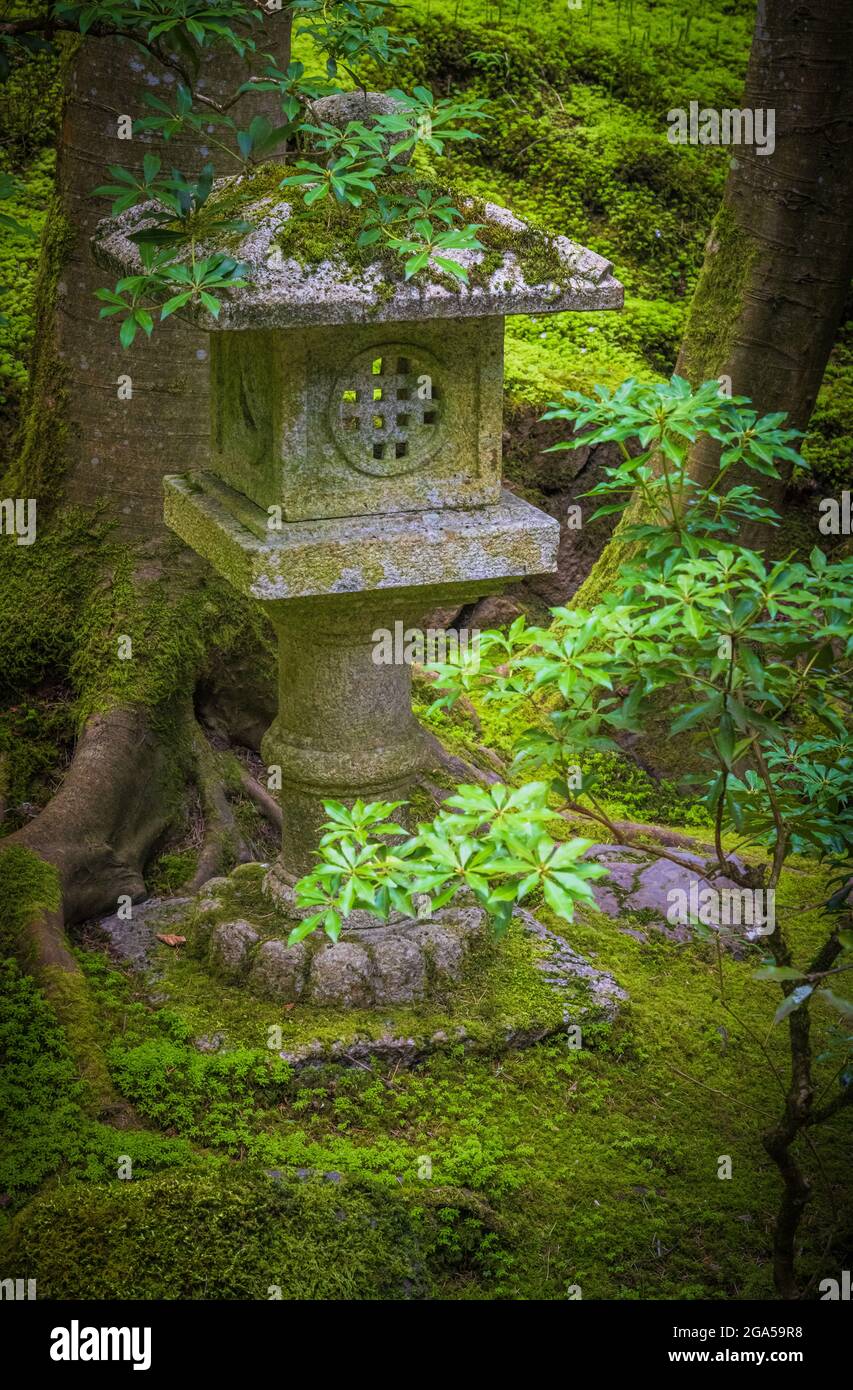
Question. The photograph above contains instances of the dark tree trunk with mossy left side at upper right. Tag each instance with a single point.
(780, 258)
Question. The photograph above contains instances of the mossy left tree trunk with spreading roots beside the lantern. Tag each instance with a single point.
(85, 450)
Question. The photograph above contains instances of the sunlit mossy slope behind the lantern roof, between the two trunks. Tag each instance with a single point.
(577, 142)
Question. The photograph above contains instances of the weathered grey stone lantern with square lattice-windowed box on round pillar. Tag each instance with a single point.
(355, 483)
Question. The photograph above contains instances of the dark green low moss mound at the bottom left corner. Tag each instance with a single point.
(262, 1239)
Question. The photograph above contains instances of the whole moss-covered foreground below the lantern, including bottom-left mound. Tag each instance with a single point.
(594, 1167)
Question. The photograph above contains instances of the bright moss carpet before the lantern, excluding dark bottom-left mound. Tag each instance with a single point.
(588, 1159)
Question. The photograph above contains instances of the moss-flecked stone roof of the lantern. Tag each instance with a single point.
(305, 265)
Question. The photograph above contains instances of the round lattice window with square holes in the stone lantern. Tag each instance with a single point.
(392, 408)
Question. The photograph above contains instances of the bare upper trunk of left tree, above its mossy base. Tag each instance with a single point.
(80, 440)
